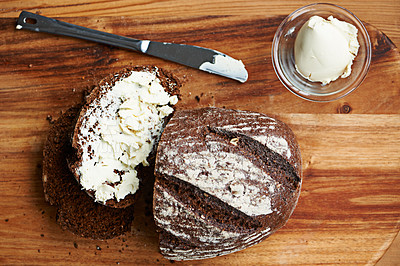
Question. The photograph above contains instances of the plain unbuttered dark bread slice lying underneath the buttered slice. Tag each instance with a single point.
(76, 211)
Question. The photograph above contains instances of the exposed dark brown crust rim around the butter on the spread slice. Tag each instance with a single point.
(169, 83)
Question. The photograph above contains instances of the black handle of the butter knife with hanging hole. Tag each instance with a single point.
(34, 22)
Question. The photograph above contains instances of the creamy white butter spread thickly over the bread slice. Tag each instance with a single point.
(119, 133)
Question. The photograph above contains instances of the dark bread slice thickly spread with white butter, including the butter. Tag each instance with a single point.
(117, 131)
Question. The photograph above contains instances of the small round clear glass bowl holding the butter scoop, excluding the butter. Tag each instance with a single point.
(284, 63)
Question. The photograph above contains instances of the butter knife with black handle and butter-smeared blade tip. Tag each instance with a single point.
(197, 57)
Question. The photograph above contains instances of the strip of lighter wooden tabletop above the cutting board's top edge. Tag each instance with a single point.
(382, 14)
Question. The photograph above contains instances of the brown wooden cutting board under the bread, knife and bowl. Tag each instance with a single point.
(349, 208)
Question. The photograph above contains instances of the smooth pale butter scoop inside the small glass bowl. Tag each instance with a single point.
(325, 49)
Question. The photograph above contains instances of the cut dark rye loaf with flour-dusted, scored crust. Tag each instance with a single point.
(225, 180)
